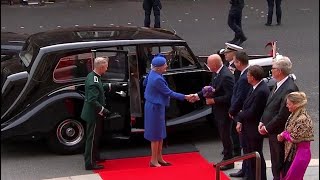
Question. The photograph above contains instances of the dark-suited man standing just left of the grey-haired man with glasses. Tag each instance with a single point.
(249, 118)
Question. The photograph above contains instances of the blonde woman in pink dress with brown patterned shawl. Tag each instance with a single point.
(297, 135)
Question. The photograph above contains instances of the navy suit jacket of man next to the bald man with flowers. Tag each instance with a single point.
(240, 92)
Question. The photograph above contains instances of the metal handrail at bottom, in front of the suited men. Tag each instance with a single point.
(239, 158)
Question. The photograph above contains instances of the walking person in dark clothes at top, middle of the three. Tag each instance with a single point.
(234, 21)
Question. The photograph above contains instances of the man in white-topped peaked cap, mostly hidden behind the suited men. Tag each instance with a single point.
(230, 53)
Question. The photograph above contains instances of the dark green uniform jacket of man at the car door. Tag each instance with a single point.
(94, 97)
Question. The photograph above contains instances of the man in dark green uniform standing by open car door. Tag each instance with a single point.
(94, 112)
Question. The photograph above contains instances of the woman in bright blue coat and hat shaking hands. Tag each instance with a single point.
(157, 95)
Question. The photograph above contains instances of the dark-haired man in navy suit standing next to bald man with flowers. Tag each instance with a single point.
(240, 92)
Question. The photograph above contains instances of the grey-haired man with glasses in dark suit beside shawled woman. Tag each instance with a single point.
(276, 113)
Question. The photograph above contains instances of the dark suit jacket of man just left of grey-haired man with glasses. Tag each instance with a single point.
(252, 110)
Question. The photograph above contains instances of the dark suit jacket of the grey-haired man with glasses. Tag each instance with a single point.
(276, 113)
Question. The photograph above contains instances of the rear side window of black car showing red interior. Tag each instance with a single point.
(73, 67)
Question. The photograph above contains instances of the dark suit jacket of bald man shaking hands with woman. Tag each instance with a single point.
(223, 83)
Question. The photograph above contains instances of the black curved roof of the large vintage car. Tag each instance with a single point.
(94, 33)
